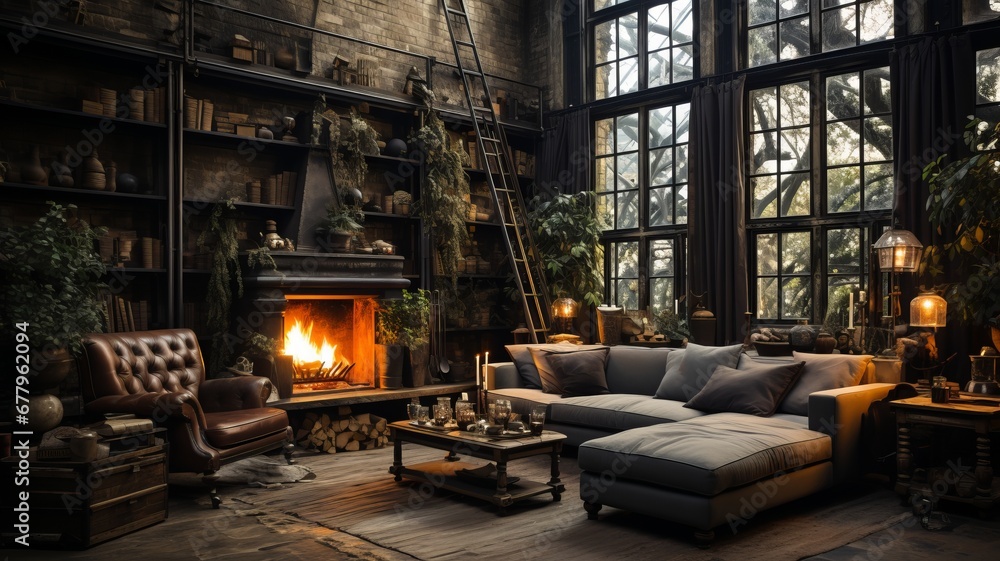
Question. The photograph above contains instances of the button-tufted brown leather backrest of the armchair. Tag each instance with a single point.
(142, 362)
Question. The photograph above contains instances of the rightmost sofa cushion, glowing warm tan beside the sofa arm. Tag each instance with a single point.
(823, 372)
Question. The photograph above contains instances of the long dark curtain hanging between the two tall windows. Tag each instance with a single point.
(717, 253)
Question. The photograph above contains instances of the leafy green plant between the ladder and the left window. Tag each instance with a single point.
(567, 235)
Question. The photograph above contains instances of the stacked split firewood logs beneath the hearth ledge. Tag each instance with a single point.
(343, 431)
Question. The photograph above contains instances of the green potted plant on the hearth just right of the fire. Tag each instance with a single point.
(403, 322)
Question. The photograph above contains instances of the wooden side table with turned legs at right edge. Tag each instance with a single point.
(982, 416)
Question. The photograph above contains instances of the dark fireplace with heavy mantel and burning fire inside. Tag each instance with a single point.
(321, 309)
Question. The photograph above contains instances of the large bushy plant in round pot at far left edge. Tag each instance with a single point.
(51, 283)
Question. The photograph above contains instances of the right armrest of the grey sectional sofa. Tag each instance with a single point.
(840, 414)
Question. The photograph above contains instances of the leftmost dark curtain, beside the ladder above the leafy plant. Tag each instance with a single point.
(565, 155)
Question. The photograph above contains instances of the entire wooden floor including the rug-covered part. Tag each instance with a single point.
(354, 510)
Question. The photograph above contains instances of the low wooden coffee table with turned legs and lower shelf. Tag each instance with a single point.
(442, 473)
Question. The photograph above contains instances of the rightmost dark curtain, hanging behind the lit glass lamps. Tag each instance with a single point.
(934, 92)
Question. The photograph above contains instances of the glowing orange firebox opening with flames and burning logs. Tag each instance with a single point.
(330, 340)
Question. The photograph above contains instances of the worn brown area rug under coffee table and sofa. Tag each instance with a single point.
(354, 494)
